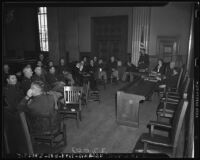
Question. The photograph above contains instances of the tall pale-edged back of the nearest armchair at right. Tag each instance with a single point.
(178, 121)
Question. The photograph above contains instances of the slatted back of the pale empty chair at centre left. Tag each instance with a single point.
(72, 94)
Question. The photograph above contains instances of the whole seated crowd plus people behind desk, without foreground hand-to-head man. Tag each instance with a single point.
(54, 77)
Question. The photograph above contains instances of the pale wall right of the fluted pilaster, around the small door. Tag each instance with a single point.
(171, 20)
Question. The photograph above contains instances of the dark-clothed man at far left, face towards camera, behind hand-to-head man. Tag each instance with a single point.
(13, 92)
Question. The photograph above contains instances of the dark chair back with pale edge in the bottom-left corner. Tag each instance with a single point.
(16, 133)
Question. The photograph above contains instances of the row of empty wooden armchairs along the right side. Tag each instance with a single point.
(173, 105)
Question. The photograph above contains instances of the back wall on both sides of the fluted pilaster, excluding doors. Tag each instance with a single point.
(74, 27)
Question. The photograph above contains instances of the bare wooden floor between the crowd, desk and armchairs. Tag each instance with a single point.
(98, 131)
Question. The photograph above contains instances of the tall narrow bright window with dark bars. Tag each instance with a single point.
(43, 30)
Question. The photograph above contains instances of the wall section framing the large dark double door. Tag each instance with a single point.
(85, 14)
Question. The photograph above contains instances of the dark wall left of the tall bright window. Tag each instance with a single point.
(21, 31)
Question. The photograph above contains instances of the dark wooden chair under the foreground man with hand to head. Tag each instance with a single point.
(46, 128)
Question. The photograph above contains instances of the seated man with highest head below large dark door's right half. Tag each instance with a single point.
(113, 68)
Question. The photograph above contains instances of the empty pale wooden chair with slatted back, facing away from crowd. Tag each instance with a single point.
(72, 103)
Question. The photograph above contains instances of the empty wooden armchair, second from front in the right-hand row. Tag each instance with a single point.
(167, 107)
